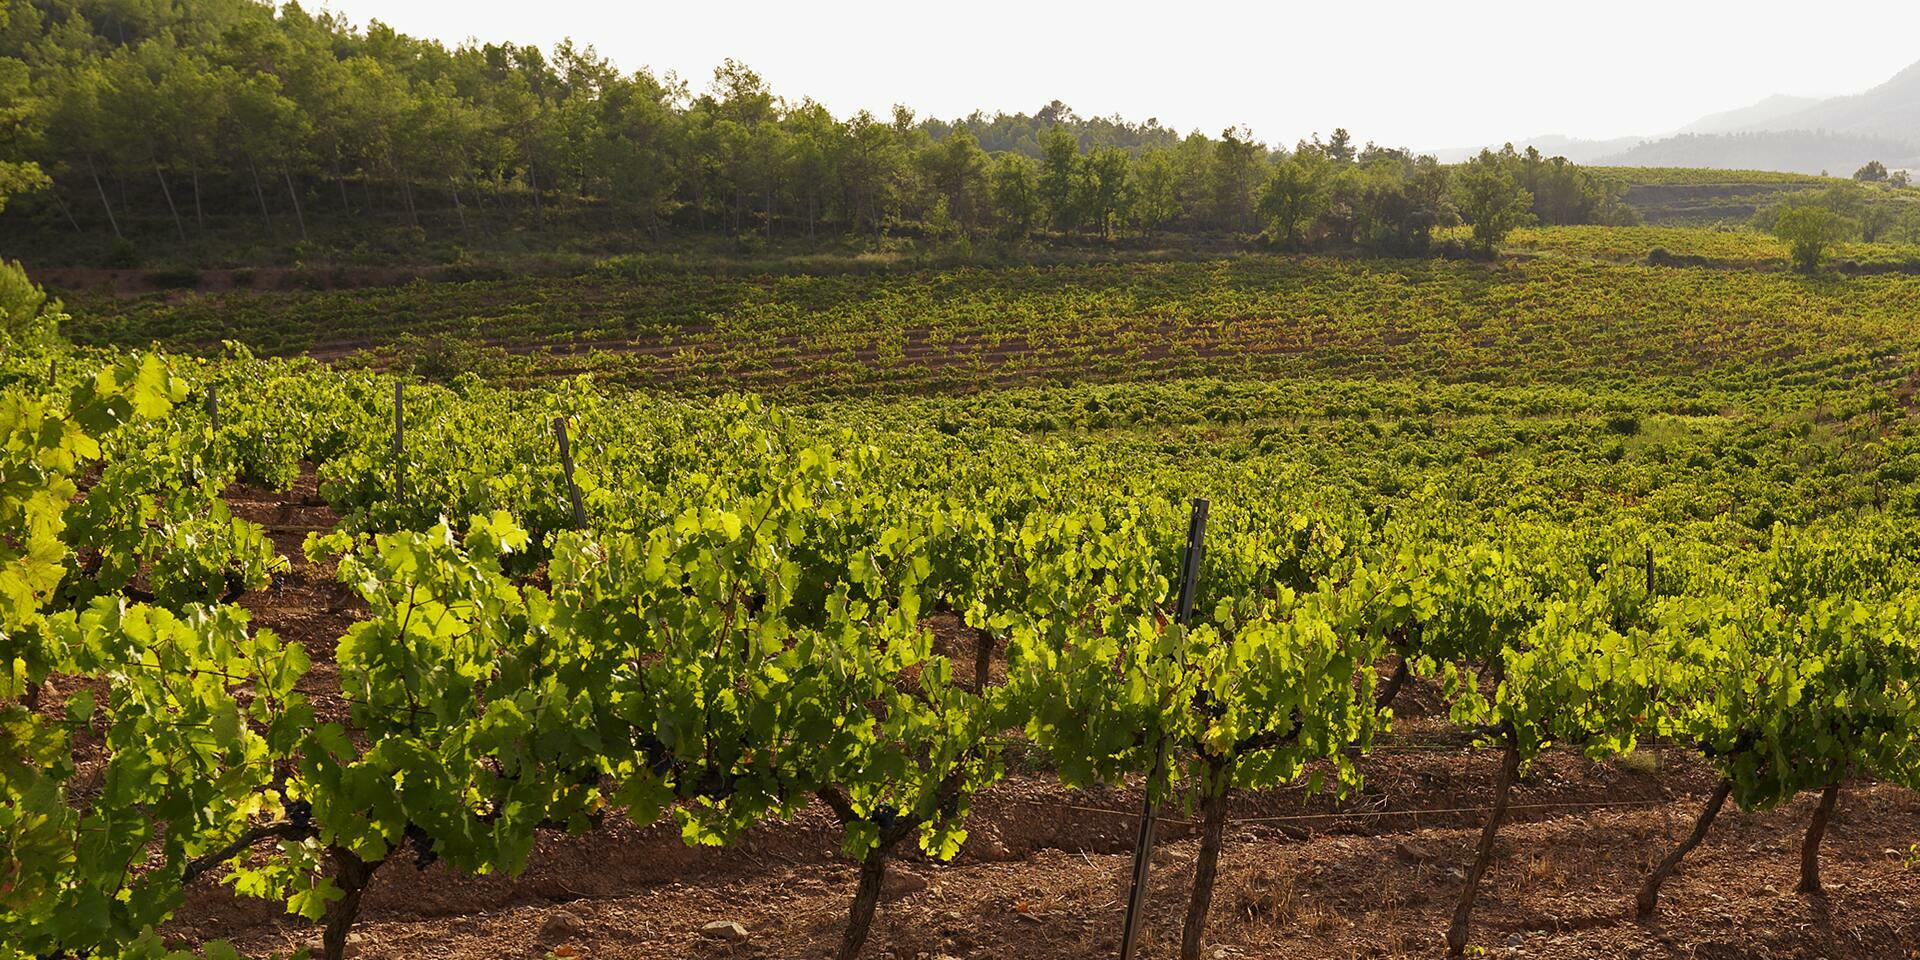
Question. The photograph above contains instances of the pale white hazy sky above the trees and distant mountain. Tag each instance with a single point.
(1416, 74)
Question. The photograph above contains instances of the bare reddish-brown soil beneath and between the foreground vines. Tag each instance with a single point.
(1045, 871)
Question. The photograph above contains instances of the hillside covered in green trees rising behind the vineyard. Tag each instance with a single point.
(235, 132)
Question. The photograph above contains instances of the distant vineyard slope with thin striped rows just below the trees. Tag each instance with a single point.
(1558, 320)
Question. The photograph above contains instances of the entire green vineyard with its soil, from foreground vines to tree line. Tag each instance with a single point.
(1554, 608)
